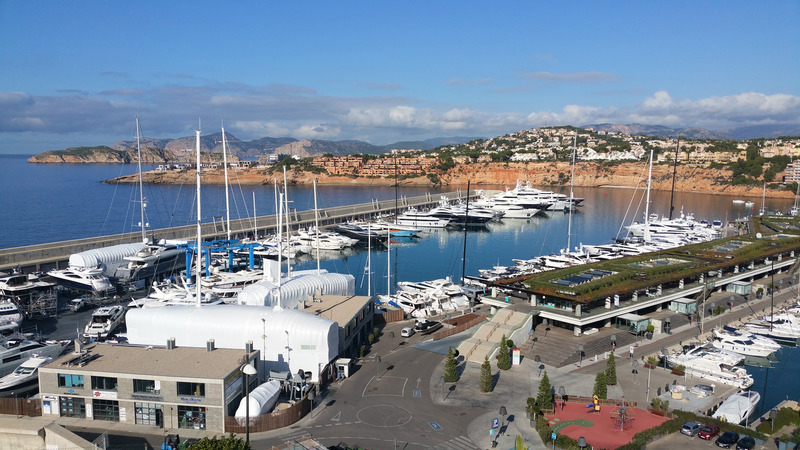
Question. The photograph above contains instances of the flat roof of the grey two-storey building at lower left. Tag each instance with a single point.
(183, 362)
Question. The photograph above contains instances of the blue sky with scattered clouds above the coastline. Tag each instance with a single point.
(77, 73)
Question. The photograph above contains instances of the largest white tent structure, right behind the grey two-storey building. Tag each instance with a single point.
(290, 340)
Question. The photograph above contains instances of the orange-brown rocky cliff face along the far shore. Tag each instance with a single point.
(688, 179)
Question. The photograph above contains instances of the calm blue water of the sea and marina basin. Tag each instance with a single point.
(42, 203)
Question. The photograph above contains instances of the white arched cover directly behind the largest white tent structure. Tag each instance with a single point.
(294, 291)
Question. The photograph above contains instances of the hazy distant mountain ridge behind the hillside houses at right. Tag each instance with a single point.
(740, 133)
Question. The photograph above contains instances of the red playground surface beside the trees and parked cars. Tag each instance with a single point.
(599, 429)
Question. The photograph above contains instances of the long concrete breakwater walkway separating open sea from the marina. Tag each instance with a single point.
(55, 255)
